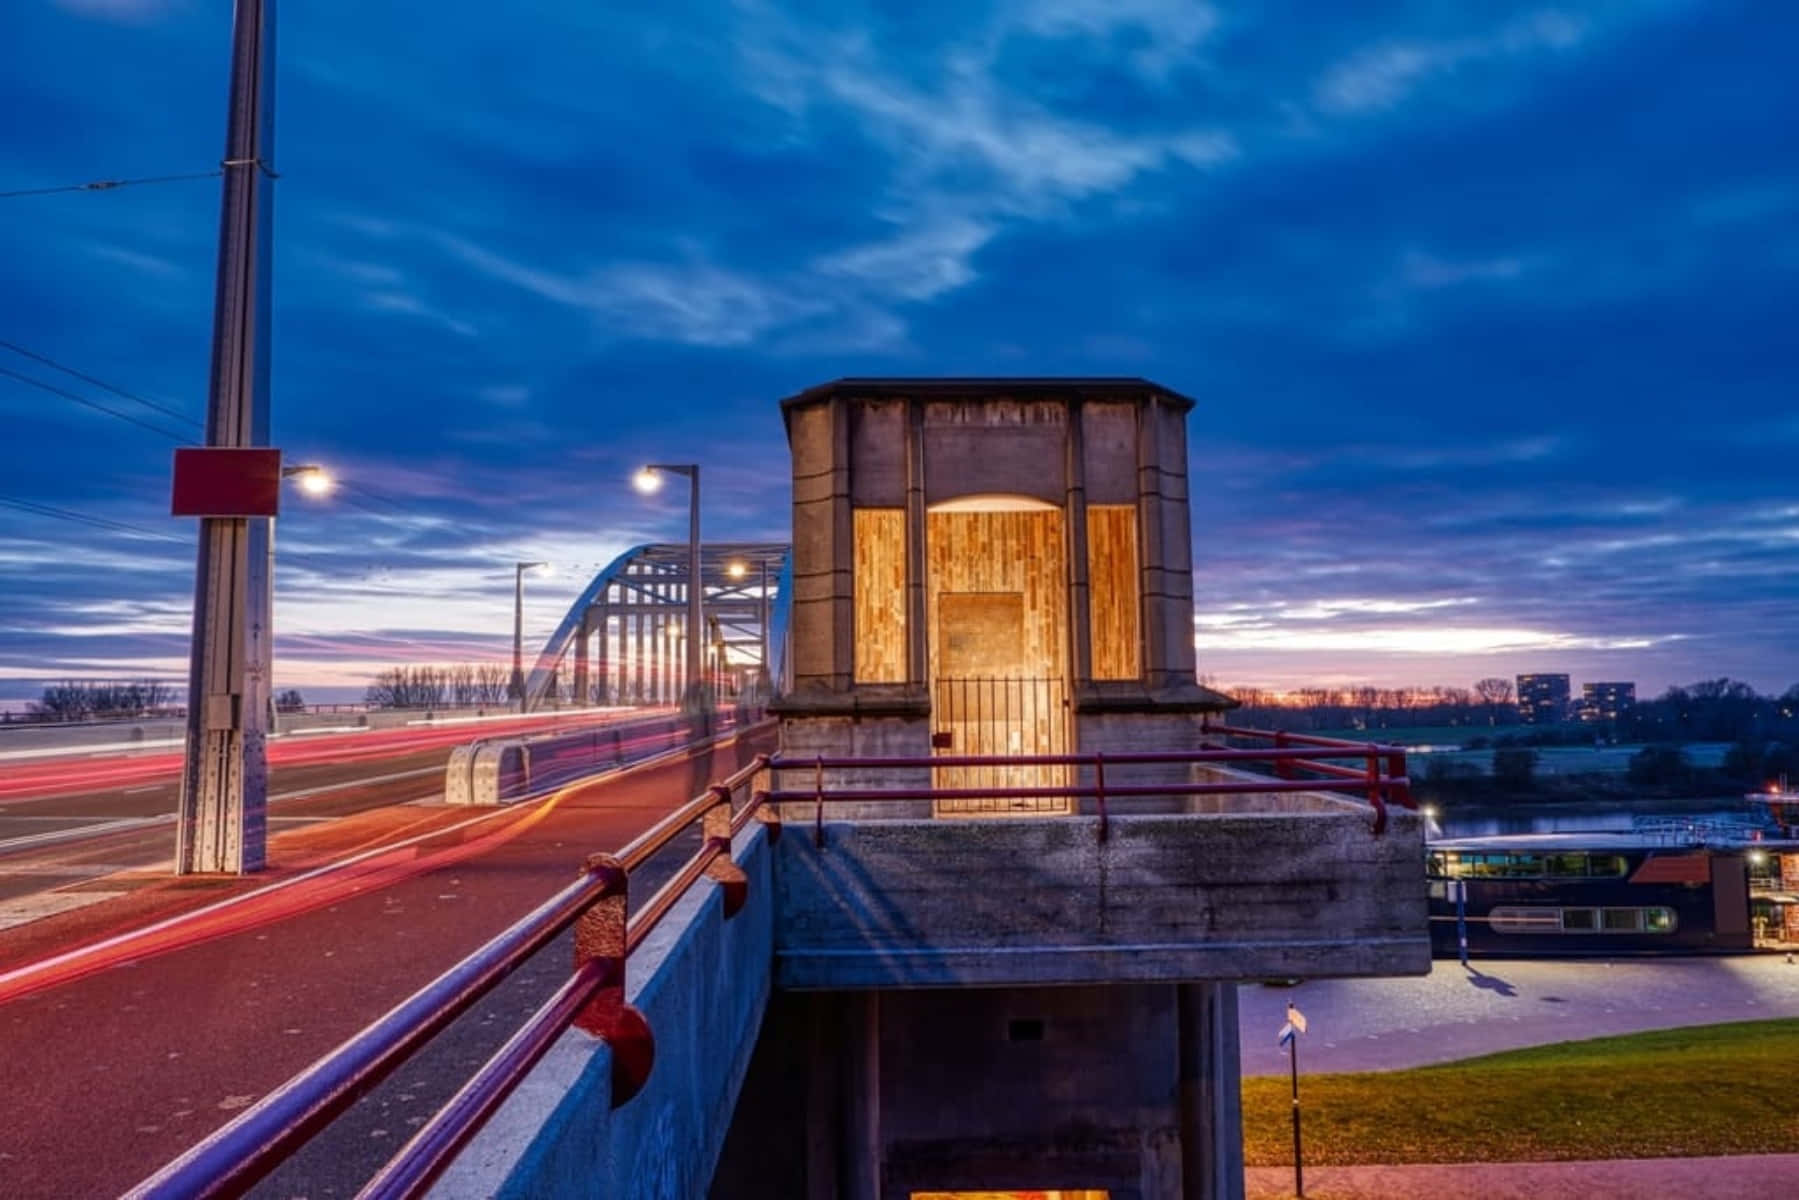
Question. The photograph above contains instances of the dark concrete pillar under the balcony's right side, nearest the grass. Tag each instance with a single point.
(1212, 1097)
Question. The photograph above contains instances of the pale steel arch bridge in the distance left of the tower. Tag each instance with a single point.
(636, 616)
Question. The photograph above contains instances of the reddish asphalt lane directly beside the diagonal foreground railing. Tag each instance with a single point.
(114, 1071)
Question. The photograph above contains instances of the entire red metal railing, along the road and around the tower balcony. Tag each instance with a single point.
(607, 931)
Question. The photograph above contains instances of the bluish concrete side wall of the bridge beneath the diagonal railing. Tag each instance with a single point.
(704, 985)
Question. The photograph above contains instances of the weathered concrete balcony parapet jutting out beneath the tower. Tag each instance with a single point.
(913, 904)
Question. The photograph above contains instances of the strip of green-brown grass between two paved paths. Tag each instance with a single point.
(1701, 1091)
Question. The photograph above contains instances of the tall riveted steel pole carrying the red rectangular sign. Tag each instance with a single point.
(224, 814)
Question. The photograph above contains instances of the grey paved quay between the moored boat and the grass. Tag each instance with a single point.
(1384, 1025)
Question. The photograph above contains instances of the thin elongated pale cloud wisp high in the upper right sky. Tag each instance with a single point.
(1383, 76)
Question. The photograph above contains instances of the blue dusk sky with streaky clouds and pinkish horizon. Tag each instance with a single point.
(1489, 309)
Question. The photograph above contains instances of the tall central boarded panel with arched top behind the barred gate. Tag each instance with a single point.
(999, 649)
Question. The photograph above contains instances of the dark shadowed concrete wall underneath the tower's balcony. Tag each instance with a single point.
(864, 1097)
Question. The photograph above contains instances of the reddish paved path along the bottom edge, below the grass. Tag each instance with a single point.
(1746, 1178)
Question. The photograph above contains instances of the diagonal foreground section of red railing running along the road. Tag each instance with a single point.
(598, 906)
